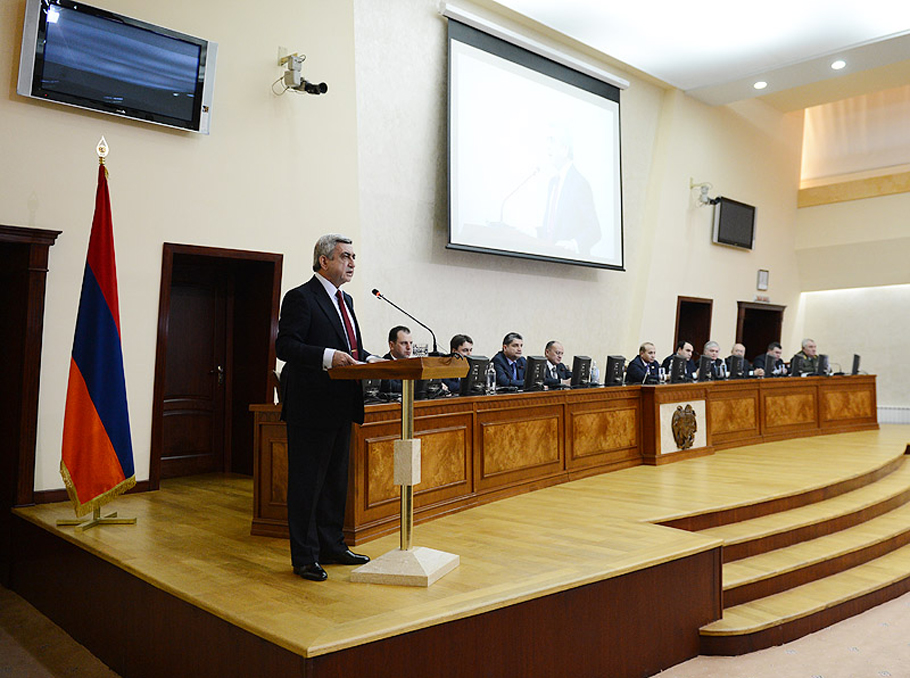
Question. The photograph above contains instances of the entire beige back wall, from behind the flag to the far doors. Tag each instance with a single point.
(370, 159)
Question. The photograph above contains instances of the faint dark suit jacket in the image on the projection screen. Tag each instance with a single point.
(576, 216)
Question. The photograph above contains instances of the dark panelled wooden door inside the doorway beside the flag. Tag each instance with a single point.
(196, 383)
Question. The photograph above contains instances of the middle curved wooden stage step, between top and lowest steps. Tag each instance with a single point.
(775, 571)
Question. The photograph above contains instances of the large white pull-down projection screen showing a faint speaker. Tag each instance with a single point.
(534, 155)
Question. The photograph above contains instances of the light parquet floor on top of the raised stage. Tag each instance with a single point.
(192, 540)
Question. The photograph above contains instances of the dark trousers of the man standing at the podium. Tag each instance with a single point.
(317, 490)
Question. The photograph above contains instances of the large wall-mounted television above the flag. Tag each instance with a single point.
(87, 57)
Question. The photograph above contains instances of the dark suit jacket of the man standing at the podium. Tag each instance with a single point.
(307, 326)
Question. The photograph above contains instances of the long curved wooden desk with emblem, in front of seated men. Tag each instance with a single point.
(481, 449)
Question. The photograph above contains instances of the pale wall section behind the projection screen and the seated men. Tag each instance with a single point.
(750, 153)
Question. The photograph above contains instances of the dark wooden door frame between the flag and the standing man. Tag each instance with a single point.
(237, 263)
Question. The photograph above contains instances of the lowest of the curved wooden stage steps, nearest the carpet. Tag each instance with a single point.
(791, 614)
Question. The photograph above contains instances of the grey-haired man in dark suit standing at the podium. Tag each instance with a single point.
(318, 330)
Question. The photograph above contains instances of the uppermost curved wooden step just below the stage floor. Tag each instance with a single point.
(786, 528)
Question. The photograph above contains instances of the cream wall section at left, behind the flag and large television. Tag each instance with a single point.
(274, 173)
